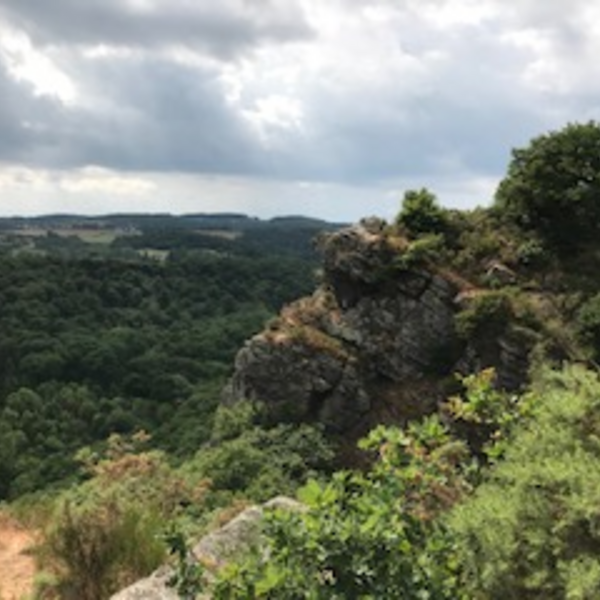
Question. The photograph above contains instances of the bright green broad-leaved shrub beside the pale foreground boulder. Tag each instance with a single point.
(364, 536)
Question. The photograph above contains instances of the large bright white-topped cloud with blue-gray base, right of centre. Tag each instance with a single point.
(381, 96)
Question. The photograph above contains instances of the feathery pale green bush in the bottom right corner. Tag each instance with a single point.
(531, 529)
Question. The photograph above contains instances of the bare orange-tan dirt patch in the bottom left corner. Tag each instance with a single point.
(17, 568)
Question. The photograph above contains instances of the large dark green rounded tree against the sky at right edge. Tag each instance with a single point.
(553, 185)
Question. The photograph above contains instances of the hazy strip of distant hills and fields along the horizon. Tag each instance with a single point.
(127, 235)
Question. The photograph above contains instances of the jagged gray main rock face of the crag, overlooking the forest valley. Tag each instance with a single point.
(328, 354)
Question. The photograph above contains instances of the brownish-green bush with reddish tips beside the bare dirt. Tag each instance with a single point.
(105, 532)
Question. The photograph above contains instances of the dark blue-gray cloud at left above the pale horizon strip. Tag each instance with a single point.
(141, 113)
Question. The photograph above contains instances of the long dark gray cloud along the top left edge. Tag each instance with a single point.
(224, 28)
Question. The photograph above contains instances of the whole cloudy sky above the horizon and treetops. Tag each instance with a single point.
(327, 108)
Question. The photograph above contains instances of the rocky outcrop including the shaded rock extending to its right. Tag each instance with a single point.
(376, 330)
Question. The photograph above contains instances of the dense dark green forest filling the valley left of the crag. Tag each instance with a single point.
(103, 338)
